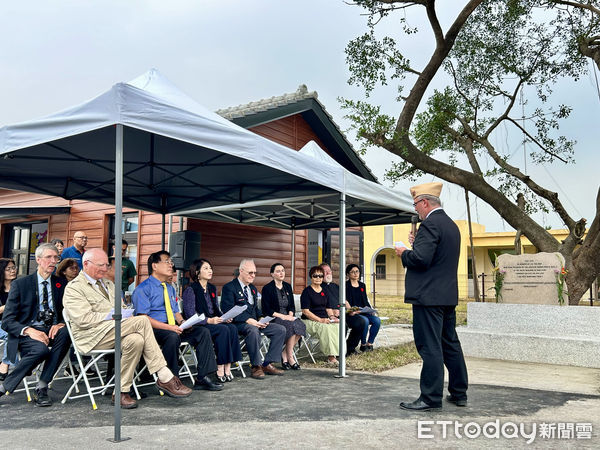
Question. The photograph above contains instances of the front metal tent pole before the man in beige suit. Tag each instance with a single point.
(118, 271)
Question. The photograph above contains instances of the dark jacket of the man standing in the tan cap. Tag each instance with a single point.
(432, 263)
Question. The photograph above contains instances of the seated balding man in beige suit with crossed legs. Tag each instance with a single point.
(87, 300)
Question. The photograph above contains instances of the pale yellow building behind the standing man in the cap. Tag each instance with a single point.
(384, 269)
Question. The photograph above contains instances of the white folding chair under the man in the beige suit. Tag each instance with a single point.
(95, 356)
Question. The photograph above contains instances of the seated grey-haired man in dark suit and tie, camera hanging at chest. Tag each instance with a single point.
(34, 322)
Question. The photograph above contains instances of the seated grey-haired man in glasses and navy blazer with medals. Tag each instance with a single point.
(241, 292)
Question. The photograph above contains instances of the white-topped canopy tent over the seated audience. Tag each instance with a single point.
(146, 145)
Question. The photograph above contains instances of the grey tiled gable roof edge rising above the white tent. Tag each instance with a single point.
(302, 93)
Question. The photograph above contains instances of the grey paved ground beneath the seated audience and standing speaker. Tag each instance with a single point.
(312, 409)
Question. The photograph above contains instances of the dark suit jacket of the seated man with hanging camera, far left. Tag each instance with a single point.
(22, 307)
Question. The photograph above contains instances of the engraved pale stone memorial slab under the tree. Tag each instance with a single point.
(531, 278)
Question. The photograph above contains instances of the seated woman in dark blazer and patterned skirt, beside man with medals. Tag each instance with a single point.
(278, 302)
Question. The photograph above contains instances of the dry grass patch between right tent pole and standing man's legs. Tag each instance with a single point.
(380, 359)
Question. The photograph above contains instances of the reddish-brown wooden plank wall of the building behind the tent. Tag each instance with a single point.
(223, 244)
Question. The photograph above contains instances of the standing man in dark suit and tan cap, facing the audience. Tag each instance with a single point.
(431, 286)
